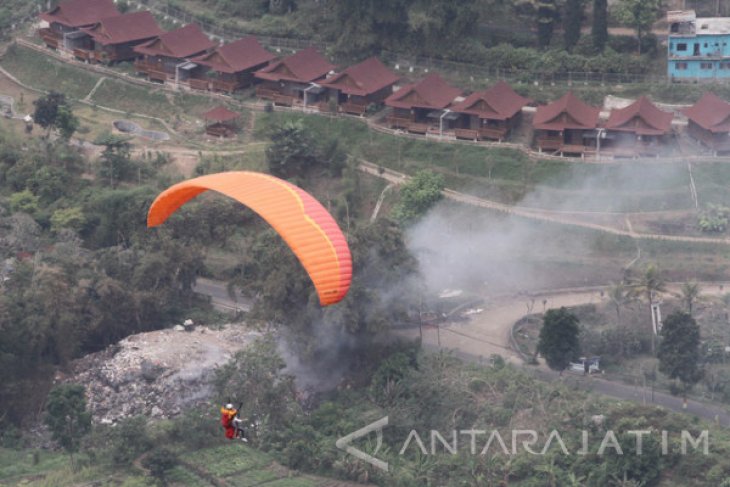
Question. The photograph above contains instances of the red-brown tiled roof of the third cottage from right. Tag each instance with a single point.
(568, 112)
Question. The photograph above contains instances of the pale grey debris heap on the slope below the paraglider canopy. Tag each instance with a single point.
(156, 374)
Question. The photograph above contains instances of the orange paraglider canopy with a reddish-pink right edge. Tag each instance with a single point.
(303, 223)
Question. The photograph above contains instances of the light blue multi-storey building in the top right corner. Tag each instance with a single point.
(698, 48)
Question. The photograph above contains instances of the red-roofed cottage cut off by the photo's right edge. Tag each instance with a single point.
(709, 122)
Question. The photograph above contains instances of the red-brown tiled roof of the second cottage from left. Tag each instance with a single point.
(137, 26)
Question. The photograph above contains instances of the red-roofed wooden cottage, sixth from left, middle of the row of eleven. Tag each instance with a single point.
(358, 86)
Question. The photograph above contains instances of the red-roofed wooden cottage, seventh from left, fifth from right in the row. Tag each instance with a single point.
(417, 107)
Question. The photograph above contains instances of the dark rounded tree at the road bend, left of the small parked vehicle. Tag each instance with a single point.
(558, 340)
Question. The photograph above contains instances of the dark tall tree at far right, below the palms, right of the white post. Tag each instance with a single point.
(679, 350)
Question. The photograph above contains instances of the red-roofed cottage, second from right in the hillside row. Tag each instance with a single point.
(636, 130)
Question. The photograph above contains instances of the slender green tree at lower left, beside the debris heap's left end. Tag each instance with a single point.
(67, 418)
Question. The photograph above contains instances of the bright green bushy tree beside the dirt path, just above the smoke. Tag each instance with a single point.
(418, 195)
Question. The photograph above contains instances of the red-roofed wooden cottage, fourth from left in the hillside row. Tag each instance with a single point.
(231, 66)
